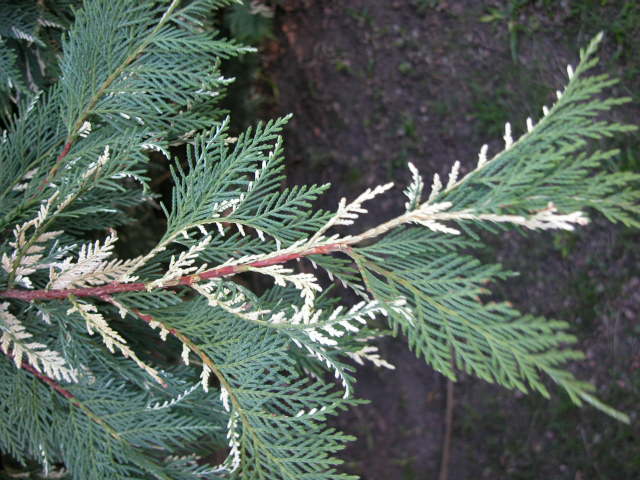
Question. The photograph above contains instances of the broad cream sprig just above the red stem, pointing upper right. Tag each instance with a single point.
(91, 268)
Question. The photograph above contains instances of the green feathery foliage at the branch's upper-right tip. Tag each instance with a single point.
(551, 164)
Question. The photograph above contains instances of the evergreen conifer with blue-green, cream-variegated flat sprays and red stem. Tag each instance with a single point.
(142, 367)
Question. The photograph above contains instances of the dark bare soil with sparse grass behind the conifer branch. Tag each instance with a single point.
(374, 84)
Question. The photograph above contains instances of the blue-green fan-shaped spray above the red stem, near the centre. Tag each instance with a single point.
(219, 173)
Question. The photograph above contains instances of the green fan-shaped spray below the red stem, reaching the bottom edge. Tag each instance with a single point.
(267, 393)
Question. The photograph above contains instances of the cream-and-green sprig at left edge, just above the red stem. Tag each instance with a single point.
(29, 246)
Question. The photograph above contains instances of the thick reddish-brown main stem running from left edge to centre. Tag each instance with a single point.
(111, 288)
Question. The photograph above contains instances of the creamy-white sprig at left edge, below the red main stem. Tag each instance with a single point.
(15, 343)
